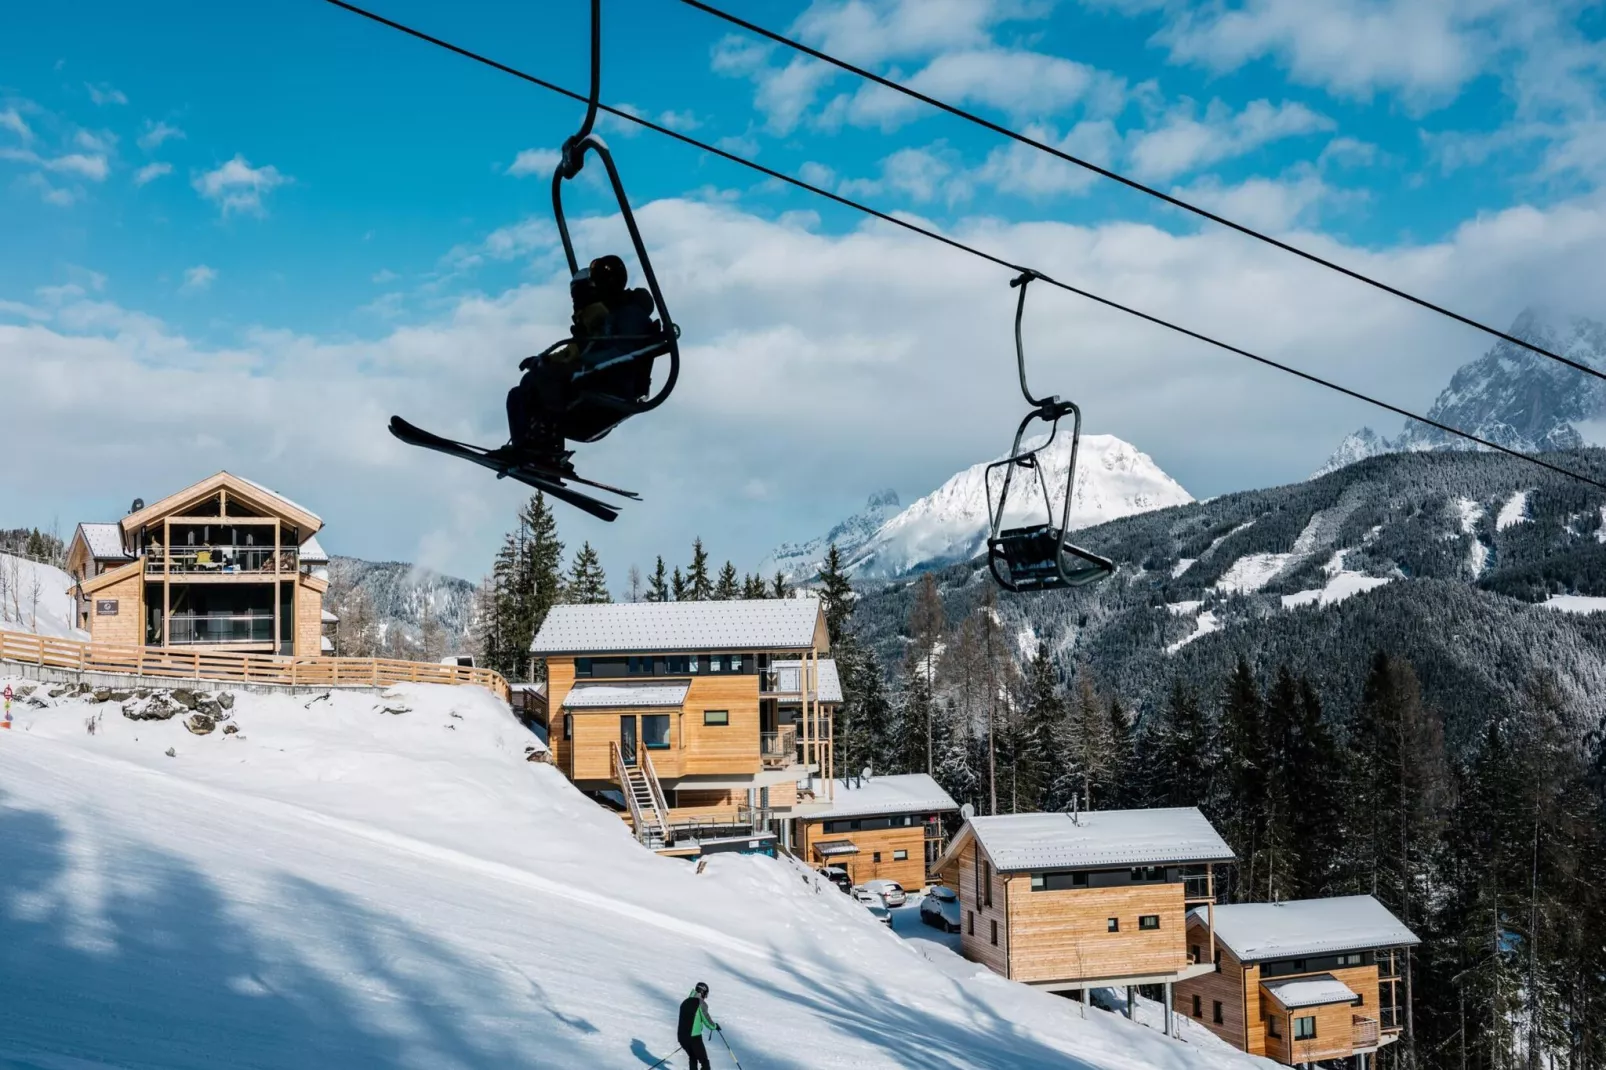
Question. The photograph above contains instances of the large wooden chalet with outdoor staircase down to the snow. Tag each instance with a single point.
(680, 714)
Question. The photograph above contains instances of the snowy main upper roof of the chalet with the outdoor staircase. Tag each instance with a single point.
(640, 627)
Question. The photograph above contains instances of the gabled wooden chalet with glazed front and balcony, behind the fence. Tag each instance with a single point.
(226, 565)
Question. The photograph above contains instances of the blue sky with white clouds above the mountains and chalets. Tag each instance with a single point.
(266, 231)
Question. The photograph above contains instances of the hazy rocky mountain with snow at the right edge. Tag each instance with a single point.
(1510, 396)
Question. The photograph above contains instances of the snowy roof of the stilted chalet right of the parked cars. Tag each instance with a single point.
(1101, 838)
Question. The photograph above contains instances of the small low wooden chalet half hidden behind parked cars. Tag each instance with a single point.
(879, 828)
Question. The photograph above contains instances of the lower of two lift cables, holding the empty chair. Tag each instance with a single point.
(963, 247)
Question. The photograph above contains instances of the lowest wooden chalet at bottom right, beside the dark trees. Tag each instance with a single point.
(1302, 982)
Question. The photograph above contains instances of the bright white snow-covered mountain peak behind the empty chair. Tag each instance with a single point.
(1114, 480)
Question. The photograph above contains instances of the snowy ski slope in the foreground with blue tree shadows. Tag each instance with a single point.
(386, 881)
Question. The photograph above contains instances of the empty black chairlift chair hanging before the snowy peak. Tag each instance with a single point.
(1038, 557)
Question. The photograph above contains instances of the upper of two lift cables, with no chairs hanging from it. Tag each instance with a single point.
(1133, 184)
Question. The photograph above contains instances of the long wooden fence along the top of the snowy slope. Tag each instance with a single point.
(214, 666)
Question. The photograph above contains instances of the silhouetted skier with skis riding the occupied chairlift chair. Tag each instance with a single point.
(587, 385)
